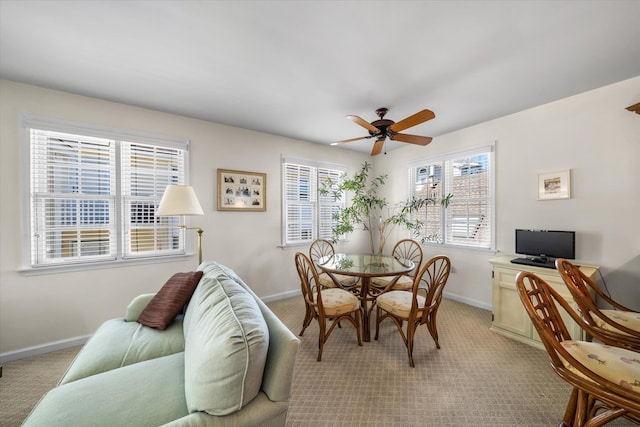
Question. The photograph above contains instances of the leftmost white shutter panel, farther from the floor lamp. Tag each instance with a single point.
(73, 198)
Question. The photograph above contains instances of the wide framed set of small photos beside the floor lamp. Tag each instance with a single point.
(242, 191)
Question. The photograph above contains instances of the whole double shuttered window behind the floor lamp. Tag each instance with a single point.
(93, 194)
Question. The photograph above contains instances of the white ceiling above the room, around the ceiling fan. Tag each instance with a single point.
(296, 68)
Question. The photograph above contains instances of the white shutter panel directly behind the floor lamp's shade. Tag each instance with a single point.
(146, 171)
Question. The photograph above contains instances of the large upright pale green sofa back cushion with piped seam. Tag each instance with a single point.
(226, 344)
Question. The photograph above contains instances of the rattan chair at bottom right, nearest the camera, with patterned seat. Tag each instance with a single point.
(605, 379)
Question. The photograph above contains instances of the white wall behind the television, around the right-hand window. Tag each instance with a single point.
(593, 135)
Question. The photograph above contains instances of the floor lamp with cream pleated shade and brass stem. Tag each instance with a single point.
(181, 200)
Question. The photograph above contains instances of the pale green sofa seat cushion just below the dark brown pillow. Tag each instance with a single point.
(118, 343)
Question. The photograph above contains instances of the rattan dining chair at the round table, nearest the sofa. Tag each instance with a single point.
(328, 306)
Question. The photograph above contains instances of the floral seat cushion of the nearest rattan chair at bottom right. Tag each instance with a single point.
(618, 365)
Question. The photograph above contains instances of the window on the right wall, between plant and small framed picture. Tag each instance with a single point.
(468, 176)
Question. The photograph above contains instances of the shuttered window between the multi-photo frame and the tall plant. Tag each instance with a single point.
(307, 214)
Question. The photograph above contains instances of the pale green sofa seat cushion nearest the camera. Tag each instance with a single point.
(149, 393)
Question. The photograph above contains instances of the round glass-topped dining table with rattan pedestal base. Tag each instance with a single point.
(365, 267)
